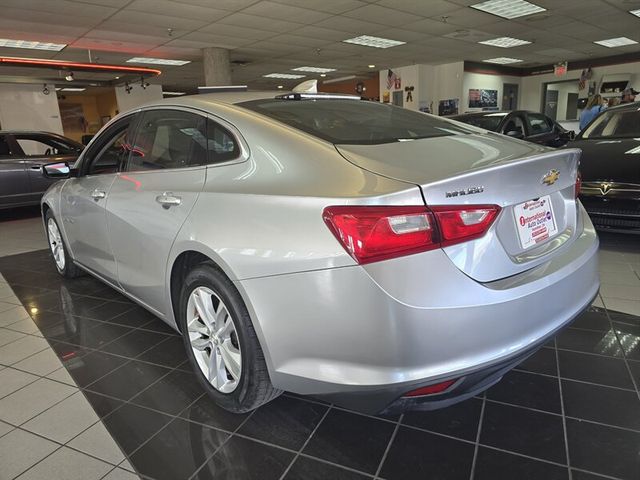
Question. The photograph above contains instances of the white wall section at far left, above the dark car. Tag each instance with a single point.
(25, 107)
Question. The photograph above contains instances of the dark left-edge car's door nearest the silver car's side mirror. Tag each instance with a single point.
(40, 149)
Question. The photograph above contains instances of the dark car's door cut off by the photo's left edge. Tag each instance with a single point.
(14, 183)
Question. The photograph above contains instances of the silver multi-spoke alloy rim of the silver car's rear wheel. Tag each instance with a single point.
(214, 339)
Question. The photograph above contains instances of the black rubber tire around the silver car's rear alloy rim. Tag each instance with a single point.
(254, 386)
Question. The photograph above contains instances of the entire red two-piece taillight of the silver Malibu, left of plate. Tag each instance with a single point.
(374, 233)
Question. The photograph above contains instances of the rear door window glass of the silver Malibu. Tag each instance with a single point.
(169, 139)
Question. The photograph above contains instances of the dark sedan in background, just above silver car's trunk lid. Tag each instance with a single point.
(530, 126)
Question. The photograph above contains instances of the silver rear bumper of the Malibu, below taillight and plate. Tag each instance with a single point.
(339, 334)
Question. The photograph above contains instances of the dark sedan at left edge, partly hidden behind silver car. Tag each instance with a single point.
(22, 155)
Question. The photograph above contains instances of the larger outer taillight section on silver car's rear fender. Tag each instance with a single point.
(371, 234)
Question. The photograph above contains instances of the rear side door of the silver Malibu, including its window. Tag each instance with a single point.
(151, 199)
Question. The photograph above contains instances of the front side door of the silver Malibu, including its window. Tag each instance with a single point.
(84, 199)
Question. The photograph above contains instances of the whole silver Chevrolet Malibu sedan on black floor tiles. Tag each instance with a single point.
(379, 258)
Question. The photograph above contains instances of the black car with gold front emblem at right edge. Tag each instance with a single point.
(610, 167)
